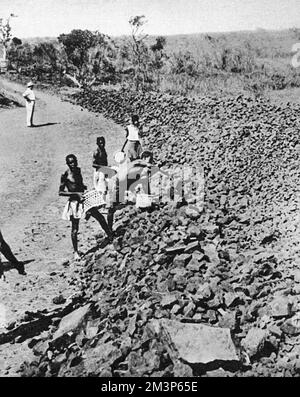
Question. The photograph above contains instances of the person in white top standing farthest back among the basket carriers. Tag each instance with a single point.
(133, 139)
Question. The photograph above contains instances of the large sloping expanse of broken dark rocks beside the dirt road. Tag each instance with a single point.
(183, 292)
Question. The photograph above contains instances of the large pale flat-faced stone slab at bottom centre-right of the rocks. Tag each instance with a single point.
(200, 344)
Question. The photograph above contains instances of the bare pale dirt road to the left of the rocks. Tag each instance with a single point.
(31, 162)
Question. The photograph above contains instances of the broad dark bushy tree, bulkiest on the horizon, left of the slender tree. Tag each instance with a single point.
(88, 55)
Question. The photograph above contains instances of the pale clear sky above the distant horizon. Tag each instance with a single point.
(40, 18)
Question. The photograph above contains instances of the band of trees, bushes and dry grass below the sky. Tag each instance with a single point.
(186, 64)
